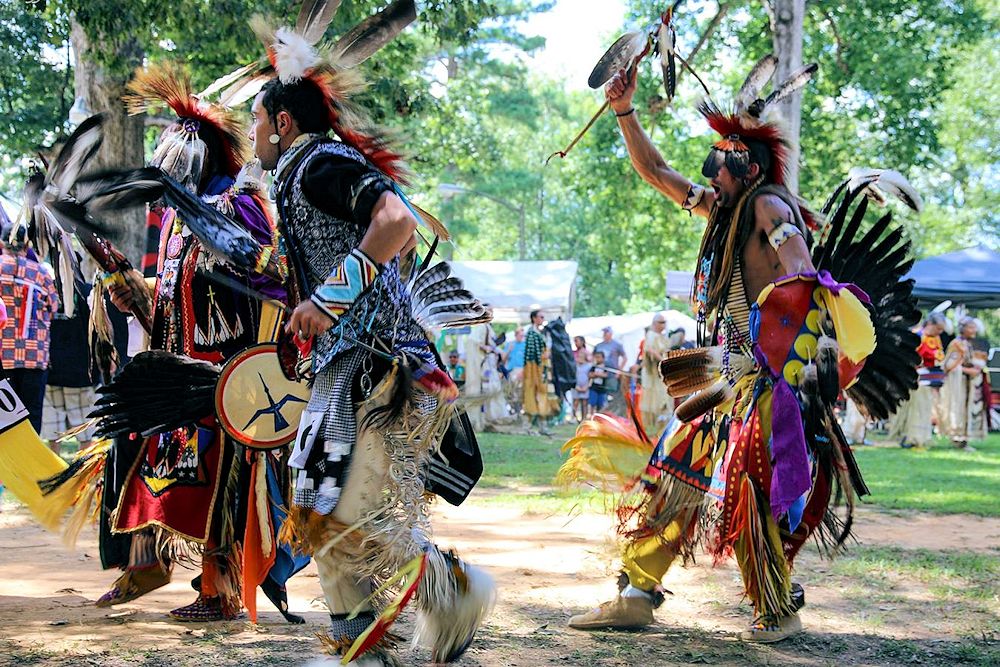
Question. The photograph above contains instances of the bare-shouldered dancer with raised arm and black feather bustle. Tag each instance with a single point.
(755, 457)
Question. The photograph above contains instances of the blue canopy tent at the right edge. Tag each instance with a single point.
(970, 277)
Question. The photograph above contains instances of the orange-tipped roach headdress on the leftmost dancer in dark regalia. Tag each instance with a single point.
(203, 134)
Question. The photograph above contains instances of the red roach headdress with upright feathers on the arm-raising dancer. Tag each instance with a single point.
(746, 124)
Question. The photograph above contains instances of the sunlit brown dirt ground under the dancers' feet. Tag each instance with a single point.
(547, 568)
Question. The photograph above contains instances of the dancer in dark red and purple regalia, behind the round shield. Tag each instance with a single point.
(189, 492)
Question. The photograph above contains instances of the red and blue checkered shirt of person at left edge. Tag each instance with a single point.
(29, 295)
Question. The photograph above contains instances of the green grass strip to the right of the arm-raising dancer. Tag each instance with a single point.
(940, 479)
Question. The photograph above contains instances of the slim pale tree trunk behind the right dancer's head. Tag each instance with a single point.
(786, 33)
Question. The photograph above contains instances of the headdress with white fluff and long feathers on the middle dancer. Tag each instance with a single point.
(293, 57)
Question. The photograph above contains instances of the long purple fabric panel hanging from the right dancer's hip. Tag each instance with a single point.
(790, 472)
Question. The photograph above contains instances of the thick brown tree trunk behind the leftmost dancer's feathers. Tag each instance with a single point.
(123, 134)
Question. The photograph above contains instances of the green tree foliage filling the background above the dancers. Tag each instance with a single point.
(906, 85)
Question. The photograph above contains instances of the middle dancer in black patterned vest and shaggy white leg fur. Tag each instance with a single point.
(381, 406)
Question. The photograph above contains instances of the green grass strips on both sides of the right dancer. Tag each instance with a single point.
(940, 479)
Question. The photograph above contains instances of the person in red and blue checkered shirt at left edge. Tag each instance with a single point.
(29, 295)
